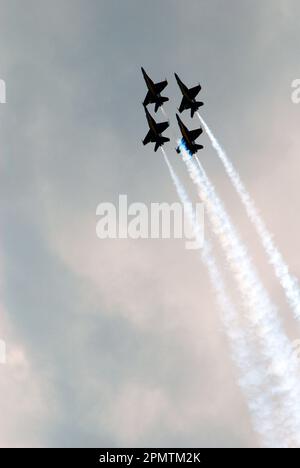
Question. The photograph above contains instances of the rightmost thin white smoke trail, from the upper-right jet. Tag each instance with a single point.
(281, 269)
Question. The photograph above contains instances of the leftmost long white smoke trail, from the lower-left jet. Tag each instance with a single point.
(253, 377)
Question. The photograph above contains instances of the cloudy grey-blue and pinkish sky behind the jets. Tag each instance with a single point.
(119, 342)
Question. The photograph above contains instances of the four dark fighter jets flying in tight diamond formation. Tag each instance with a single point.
(156, 130)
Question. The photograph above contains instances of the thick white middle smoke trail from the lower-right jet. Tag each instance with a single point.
(261, 313)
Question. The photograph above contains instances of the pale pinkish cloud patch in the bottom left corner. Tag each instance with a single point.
(23, 396)
